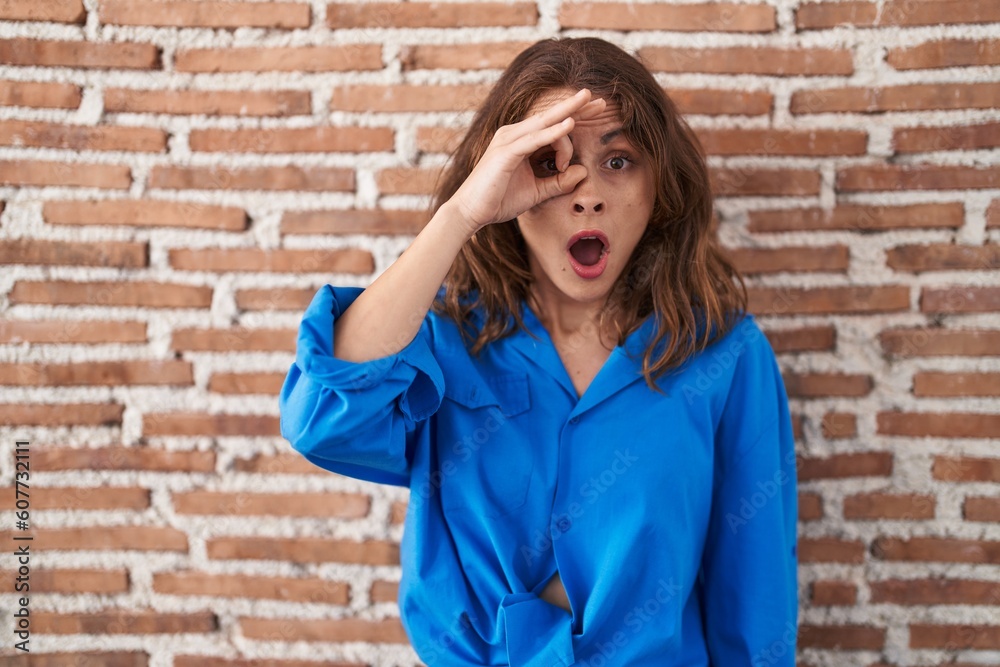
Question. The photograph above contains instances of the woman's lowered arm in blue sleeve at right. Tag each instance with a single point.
(749, 565)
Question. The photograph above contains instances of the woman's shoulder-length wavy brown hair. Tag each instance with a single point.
(677, 270)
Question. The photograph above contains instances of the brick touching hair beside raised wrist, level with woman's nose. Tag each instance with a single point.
(354, 221)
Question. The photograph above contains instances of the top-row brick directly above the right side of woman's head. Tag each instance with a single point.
(704, 17)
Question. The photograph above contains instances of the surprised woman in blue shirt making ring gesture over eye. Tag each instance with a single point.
(594, 432)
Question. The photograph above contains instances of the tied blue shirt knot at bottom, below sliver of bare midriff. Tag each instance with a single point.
(539, 634)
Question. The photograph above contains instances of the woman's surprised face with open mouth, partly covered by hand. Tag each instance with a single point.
(579, 243)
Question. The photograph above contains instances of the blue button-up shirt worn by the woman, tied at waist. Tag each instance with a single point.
(671, 518)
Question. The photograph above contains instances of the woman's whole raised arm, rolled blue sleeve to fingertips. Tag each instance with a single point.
(363, 379)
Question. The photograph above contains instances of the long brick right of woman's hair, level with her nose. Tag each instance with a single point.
(858, 217)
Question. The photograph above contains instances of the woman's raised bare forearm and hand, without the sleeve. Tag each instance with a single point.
(386, 317)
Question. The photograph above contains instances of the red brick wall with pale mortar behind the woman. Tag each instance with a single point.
(179, 177)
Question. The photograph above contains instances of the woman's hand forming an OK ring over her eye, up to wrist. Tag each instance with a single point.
(503, 184)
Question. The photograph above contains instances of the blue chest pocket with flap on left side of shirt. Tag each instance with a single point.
(484, 457)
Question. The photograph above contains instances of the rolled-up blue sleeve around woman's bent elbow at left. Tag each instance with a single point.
(356, 418)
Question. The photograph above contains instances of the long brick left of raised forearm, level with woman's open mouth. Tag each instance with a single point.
(331, 260)
